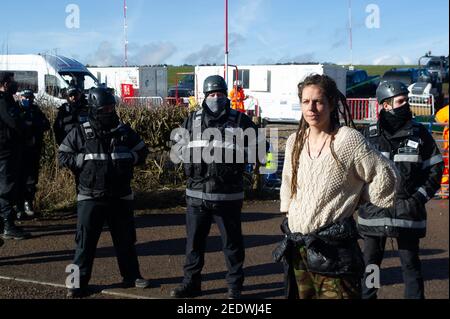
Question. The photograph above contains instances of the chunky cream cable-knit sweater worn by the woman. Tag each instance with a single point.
(325, 192)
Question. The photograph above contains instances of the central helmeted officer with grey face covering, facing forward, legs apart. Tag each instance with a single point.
(214, 189)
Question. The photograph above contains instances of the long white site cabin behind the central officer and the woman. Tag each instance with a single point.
(272, 87)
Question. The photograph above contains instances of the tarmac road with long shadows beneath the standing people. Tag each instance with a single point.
(161, 240)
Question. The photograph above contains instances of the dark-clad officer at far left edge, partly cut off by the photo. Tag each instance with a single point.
(11, 148)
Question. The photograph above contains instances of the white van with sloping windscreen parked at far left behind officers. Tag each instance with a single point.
(48, 75)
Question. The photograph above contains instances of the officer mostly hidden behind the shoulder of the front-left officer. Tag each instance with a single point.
(70, 114)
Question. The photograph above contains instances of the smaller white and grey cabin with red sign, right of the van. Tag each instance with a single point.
(146, 81)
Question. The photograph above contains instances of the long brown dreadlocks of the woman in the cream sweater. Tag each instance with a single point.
(338, 101)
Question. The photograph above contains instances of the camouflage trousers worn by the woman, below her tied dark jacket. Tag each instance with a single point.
(316, 286)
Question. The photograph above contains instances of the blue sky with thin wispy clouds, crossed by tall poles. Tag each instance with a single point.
(261, 31)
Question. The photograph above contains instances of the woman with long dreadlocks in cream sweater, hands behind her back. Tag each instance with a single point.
(329, 169)
